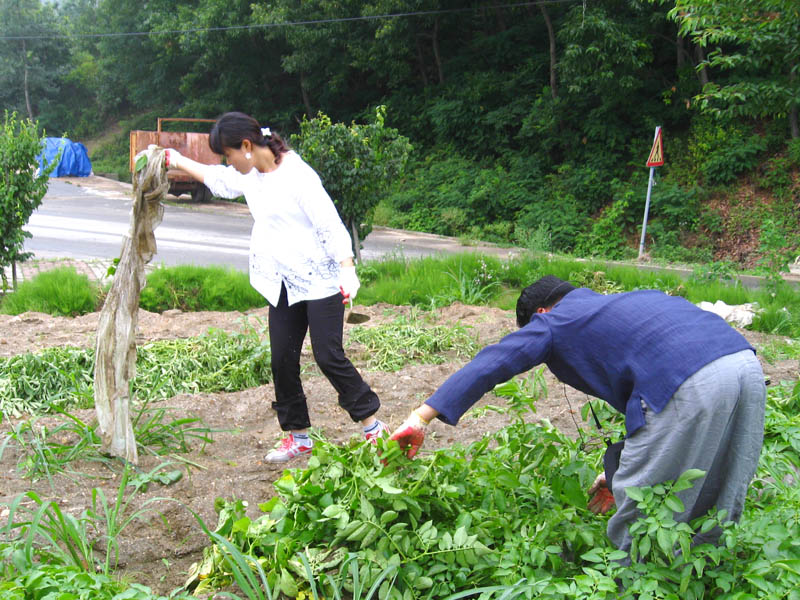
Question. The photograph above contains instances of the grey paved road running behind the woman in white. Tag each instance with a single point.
(82, 221)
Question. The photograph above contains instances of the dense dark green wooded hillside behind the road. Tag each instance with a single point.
(531, 122)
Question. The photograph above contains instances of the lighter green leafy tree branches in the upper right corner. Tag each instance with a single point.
(758, 42)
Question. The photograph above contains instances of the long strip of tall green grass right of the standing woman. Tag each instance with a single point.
(478, 279)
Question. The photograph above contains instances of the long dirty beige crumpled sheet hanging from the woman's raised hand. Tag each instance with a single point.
(115, 357)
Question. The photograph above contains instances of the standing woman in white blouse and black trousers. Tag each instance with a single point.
(301, 260)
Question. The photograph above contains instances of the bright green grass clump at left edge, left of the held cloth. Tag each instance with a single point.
(61, 292)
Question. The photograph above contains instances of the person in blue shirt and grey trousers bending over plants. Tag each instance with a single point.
(690, 387)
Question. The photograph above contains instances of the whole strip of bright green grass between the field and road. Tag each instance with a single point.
(470, 278)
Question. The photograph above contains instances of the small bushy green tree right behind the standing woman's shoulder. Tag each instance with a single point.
(356, 164)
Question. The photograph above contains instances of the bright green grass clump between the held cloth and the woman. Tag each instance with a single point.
(193, 288)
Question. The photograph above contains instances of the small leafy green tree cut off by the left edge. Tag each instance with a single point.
(21, 188)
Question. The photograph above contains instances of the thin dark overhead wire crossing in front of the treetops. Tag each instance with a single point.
(421, 13)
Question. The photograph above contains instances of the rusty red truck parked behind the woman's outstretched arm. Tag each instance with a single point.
(190, 144)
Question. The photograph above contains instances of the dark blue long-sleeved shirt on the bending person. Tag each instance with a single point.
(627, 349)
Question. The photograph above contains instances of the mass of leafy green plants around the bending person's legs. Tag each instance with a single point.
(506, 517)
